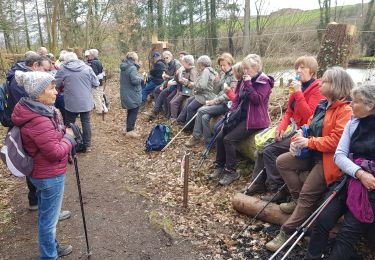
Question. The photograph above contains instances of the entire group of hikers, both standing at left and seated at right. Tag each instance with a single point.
(335, 119)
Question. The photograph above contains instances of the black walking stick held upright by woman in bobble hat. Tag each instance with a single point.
(78, 138)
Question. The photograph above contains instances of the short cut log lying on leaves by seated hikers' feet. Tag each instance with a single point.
(251, 206)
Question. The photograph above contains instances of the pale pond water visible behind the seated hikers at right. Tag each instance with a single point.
(358, 74)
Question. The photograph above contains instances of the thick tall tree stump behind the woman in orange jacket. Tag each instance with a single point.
(336, 46)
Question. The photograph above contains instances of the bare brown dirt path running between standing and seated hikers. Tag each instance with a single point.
(122, 222)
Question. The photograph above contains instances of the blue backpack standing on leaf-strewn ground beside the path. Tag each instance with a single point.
(159, 137)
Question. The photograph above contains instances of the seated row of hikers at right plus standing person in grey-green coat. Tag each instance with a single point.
(335, 119)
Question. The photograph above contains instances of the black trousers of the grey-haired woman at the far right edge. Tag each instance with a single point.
(349, 234)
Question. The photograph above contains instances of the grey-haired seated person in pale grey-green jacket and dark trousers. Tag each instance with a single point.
(203, 91)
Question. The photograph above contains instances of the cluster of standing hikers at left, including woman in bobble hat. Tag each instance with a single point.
(44, 96)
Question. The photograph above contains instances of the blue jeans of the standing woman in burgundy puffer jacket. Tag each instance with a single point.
(50, 193)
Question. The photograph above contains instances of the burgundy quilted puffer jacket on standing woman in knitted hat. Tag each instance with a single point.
(43, 141)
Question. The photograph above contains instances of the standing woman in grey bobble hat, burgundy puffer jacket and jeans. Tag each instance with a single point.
(46, 140)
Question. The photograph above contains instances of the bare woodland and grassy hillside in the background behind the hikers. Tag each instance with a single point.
(196, 26)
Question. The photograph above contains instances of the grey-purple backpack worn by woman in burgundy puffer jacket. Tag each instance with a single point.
(14, 156)
